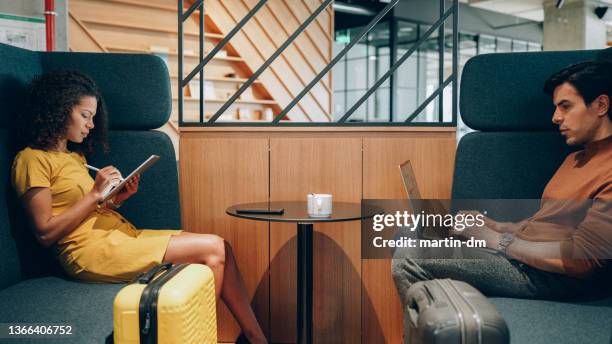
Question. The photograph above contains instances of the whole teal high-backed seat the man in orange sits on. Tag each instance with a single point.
(512, 154)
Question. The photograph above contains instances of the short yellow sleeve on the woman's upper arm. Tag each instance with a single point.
(30, 169)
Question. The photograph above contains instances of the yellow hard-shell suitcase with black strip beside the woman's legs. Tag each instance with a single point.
(167, 304)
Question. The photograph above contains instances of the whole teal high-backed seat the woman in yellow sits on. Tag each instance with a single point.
(137, 92)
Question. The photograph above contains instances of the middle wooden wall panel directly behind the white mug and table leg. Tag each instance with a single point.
(299, 165)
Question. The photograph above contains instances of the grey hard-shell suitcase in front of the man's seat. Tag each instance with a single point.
(447, 311)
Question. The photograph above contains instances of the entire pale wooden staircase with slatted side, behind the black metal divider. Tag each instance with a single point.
(150, 26)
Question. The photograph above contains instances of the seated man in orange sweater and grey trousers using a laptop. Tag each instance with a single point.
(563, 249)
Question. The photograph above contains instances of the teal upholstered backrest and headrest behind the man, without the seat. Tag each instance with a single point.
(517, 148)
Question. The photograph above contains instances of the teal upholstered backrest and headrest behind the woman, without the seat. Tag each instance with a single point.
(136, 89)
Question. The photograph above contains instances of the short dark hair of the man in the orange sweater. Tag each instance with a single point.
(590, 78)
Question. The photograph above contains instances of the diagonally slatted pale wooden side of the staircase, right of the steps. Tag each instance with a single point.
(299, 64)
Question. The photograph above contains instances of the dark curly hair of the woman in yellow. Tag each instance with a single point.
(50, 100)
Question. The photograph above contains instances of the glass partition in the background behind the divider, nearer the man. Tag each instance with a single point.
(415, 80)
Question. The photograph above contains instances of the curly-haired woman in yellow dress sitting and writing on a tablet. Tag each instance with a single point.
(92, 241)
